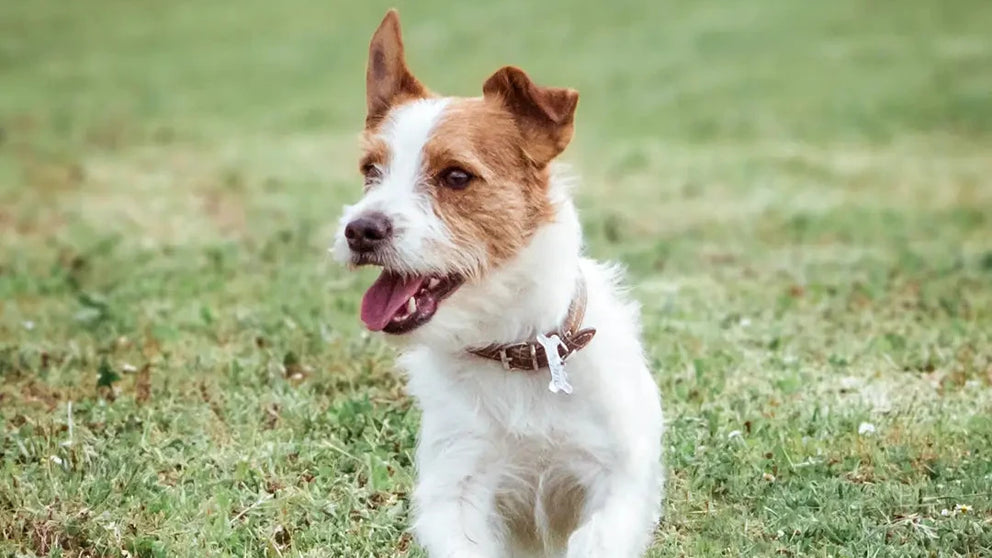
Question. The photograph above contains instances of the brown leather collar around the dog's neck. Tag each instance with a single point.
(530, 355)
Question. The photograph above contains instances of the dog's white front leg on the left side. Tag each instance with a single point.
(454, 506)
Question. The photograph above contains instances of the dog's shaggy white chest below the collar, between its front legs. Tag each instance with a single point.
(541, 449)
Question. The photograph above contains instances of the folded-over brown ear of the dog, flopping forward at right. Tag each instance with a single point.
(544, 115)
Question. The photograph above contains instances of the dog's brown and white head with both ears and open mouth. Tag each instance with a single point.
(453, 186)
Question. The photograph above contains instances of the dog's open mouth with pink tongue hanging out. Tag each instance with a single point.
(398, 303)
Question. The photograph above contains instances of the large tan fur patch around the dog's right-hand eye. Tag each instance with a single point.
(506, 201)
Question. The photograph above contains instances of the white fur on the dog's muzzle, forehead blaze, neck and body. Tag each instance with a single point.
(497, 449)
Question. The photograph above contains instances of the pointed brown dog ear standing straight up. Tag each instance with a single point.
(387, 79)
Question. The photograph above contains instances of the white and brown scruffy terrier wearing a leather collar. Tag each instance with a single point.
(542, 425)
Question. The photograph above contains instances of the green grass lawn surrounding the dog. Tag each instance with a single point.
(800, 190)
